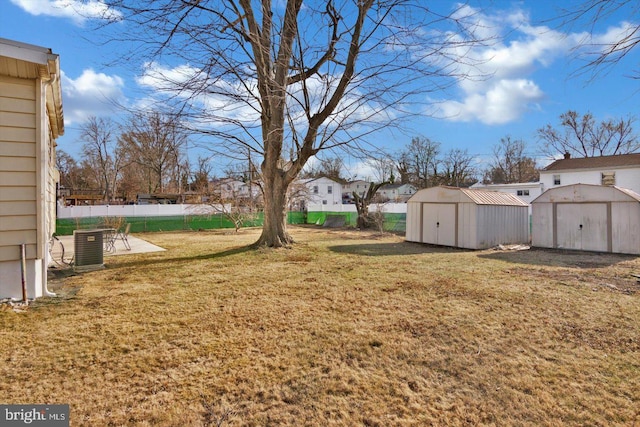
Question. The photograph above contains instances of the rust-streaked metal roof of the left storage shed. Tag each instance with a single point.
(444, 194)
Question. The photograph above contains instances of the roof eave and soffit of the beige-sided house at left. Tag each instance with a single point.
(26, 61)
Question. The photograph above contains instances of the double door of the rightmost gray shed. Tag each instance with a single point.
(582, 226)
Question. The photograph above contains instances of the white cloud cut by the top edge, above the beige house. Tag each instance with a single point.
(76, 10)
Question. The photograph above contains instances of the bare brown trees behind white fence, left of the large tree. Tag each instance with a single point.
(146, 154)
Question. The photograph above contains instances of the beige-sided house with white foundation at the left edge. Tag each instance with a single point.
(31, 119)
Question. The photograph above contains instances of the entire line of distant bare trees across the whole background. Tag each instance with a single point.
(147, 154)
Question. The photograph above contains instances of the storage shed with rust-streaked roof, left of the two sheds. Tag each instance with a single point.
(466, 218)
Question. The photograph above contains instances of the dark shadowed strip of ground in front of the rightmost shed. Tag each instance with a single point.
(558, 258)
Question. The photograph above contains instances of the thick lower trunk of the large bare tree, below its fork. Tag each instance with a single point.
(274, 229)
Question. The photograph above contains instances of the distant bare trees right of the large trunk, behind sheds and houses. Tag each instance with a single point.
(422, 163)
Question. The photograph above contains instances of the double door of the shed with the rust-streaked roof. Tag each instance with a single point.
(439, 224)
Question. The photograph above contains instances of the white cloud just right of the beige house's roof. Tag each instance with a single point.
(91, 94)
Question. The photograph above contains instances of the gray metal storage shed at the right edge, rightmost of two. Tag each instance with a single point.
(587, 217)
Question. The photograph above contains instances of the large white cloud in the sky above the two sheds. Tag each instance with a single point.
(504, 89)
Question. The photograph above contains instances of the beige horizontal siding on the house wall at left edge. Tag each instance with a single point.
(17, 167)
